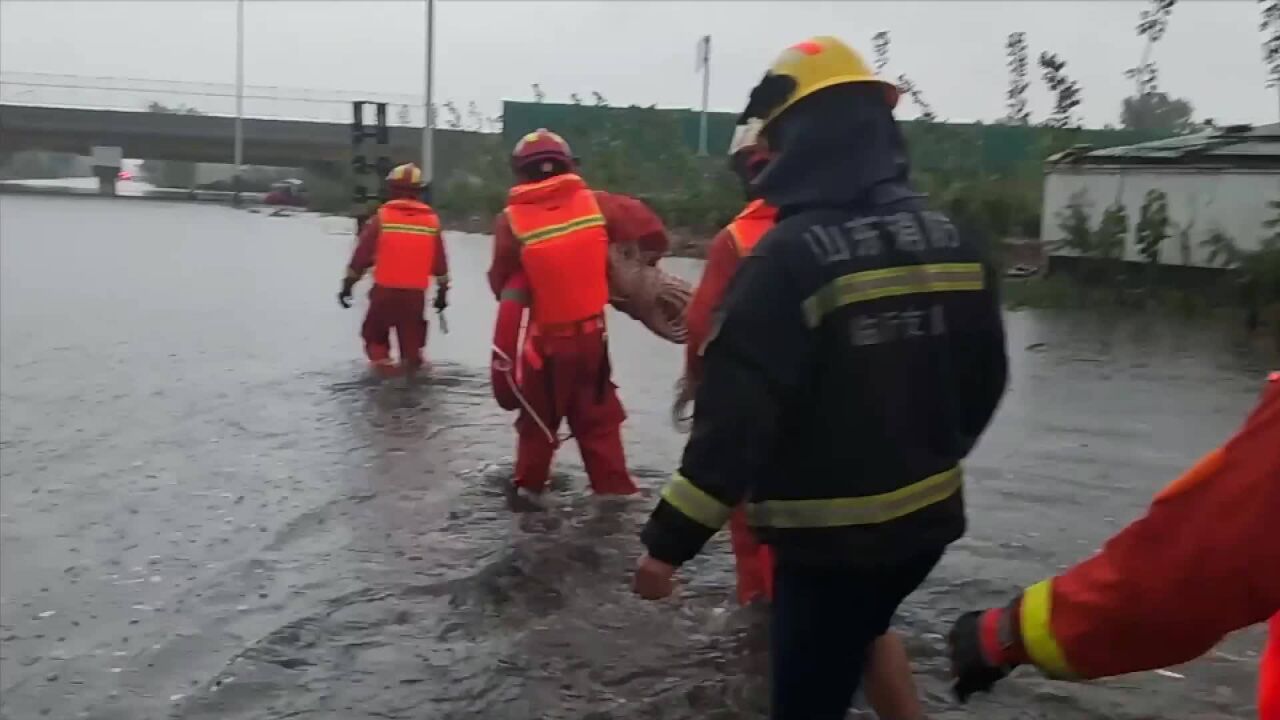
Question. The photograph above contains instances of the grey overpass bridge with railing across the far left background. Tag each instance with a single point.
(42, 112)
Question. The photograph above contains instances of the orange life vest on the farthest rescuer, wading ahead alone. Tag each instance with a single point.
(409, 235)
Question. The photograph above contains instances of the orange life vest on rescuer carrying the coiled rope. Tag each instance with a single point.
(565, 249)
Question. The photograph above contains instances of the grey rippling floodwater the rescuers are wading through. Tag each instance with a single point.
(208, 512)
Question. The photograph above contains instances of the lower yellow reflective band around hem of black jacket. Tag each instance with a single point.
(868, 511)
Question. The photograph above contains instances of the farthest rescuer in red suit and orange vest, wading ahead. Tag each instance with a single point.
(404, 245)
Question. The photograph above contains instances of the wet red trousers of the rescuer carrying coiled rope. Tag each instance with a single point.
(569, 380)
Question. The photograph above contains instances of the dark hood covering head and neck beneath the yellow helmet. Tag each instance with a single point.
(838, 148)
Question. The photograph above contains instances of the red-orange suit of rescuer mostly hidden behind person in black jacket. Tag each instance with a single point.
(753, 562)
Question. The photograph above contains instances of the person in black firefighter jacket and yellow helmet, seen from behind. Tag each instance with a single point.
(856, 361)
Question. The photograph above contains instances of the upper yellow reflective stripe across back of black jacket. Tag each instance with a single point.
(892, 282)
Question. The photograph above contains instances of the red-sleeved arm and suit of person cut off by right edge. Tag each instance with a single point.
(1204, 562)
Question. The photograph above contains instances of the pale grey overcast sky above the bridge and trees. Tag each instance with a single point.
(643, 52)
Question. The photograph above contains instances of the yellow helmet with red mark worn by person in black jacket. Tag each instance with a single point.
(816, 65)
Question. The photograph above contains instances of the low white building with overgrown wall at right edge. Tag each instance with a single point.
(1217, 183)
